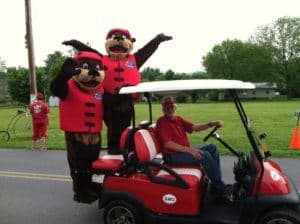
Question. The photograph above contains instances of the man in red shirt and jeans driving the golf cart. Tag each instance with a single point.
(172, 132)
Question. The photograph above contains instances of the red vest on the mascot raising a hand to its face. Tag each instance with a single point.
(81, 111)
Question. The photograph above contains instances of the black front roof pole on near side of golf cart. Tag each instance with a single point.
(243, 117)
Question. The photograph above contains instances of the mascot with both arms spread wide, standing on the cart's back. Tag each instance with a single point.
(122, 69)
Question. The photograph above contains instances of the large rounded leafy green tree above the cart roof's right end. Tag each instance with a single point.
(234, 59)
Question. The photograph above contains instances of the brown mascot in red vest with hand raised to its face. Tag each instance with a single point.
(78, 86)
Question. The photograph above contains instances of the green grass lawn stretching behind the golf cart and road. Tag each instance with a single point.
(273, 118)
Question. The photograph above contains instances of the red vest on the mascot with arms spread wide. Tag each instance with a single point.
(120, 73)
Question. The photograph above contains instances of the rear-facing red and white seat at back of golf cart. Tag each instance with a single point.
(114, 163)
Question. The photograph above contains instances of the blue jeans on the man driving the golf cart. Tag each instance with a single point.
(210, 161)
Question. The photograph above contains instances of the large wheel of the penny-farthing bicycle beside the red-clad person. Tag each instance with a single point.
(22, 126)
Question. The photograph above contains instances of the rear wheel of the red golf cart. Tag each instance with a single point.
(121, 212)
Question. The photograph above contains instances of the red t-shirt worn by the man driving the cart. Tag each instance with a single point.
(175, 130)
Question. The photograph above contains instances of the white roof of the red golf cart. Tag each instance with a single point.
(190, 84)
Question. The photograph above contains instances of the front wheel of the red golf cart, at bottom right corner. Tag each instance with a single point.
(282, 216)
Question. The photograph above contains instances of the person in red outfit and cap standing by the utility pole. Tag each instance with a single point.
(39, 111)
